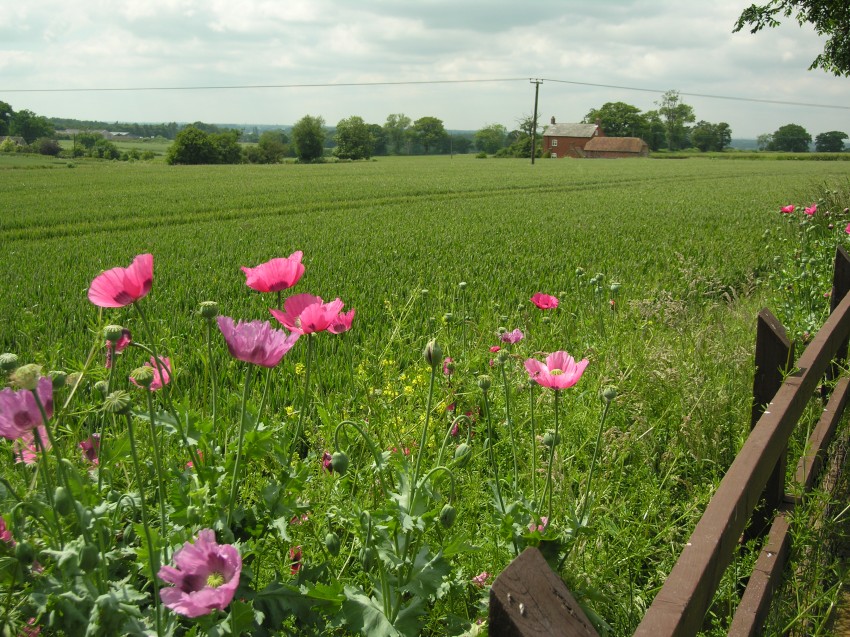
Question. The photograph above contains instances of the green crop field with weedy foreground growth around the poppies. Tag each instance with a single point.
(660, 267)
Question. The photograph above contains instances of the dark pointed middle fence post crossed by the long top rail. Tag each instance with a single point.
(774, 356)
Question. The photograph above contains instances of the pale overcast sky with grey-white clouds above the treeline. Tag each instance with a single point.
(655, 45)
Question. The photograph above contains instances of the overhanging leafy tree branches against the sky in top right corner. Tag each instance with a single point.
(830, 18)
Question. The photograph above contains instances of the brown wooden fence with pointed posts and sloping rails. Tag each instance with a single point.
(528, 598)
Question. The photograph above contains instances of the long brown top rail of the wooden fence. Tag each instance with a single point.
(680, 606)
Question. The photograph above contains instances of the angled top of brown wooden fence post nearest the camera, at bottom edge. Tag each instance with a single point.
(528, 599)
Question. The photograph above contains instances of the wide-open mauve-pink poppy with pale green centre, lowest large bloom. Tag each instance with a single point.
(205, 578)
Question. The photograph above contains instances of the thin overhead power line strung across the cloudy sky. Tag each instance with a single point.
(236, 87)
